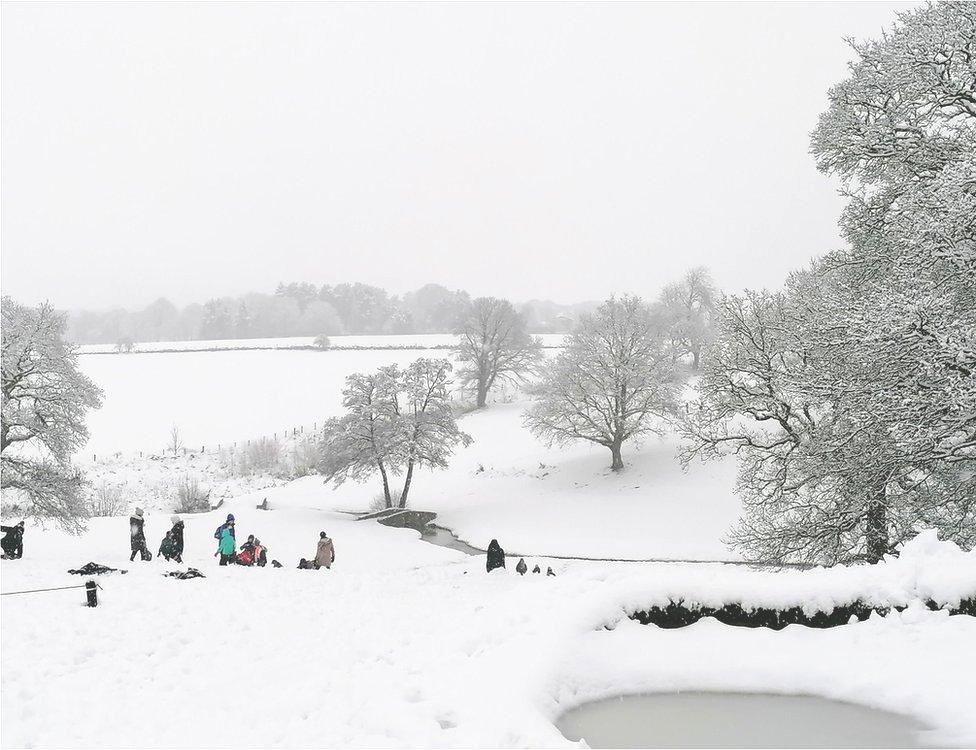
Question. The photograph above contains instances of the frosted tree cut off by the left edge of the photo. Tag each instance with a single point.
(45, 400)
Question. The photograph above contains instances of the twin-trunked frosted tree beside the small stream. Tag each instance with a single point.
(397, 420)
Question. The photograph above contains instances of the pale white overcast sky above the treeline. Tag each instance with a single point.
(528, 151)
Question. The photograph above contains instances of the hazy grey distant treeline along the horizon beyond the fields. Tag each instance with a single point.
(302, 309)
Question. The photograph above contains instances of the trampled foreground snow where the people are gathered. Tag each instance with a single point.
(406, 644)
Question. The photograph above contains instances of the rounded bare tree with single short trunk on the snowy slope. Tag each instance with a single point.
(609, 383)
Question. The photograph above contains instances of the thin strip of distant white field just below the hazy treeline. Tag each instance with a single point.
(417, 340)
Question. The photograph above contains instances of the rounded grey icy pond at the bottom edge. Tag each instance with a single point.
(737, 720)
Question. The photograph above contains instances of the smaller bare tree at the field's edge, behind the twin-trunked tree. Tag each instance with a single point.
(494, 346)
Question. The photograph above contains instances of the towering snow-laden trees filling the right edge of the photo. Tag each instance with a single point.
(850, 396)
